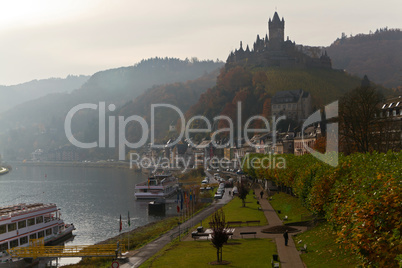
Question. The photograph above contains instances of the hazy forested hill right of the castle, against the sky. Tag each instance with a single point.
(379, 55)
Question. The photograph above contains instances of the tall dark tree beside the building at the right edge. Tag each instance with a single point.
(359, 117)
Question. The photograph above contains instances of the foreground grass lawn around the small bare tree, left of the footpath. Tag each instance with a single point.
(240, 252)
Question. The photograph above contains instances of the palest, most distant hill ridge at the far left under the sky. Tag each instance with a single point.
(17, 94)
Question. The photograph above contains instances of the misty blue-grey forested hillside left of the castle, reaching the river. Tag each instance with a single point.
(40, 123)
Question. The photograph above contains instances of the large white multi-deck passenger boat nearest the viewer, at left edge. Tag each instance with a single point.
(22, 223)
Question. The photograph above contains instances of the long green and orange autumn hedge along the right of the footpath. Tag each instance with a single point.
(361, 199)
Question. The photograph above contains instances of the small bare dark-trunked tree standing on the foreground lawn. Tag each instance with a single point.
(219, 235)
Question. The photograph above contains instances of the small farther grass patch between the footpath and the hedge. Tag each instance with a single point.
(289, 206)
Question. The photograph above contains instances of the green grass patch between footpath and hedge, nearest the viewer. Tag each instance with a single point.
(322, 251)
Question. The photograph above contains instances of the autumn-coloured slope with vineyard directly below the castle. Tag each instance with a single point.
(254, 87)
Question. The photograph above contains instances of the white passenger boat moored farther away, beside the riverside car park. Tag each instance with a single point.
(160, 185)
